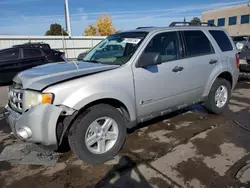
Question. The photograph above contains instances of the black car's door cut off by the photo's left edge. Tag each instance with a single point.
(9, 64)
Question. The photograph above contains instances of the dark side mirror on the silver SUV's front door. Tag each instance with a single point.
(149, 59)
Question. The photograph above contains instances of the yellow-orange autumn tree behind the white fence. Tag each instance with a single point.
(103, 27)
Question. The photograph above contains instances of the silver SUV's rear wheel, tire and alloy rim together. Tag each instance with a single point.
(219, 96)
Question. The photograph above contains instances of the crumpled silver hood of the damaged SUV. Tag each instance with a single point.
(39, 77)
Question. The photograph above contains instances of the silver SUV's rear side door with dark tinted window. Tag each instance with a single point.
(201, 59)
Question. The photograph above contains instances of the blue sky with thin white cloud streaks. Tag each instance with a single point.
(33, 17)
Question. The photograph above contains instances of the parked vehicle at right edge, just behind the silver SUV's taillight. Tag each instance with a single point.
(243, 45)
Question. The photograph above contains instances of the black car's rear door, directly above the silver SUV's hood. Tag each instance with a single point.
(32, 57)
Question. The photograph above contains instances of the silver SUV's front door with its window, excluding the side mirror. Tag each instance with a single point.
(161, 87)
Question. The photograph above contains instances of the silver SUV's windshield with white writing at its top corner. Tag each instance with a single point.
(116, 49)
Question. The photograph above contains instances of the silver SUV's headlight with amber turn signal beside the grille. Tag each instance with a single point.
(34, 98)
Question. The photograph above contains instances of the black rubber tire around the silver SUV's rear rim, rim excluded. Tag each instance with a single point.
(210, 103)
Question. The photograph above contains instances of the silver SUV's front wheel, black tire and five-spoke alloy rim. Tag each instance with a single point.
(99, 134)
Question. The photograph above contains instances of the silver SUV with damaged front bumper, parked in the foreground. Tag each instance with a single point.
(92, 103)
